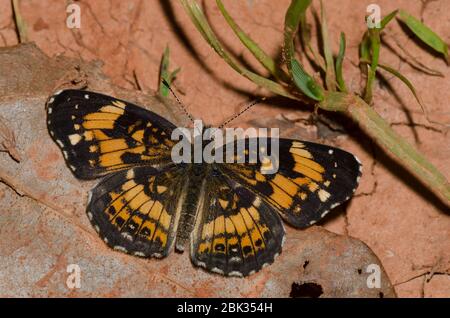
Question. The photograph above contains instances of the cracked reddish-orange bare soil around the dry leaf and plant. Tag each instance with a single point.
(399, 219)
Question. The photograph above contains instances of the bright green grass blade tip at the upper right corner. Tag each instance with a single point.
(424, 33)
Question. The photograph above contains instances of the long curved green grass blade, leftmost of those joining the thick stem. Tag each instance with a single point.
(198, 18)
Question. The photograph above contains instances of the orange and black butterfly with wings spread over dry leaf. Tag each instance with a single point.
(229, 215)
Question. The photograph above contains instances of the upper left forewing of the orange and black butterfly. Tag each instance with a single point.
(99, 134)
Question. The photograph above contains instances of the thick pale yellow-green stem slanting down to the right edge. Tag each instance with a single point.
(380, 131)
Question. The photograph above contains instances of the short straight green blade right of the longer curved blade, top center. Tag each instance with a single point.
(253, 47)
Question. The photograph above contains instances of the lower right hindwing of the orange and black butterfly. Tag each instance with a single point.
(236, 232)
